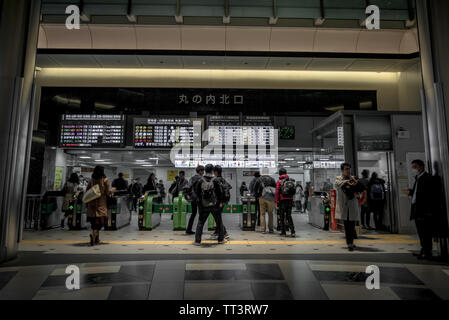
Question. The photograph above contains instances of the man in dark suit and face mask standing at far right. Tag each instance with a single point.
(422, 210)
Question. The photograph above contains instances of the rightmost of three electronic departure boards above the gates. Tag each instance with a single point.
(226, 130)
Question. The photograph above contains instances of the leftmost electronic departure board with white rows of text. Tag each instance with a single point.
(92, 131)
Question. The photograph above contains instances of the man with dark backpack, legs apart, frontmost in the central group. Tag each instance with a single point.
(210, 196)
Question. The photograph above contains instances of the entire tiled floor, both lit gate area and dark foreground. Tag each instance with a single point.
(163, 264)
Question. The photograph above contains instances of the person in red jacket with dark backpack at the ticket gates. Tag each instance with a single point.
(285, 190)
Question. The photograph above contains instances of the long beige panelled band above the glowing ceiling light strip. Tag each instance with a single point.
(229, 38)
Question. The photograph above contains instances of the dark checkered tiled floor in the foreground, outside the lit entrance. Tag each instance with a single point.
(227, 280)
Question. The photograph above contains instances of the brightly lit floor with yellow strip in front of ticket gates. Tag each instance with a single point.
(163, 240)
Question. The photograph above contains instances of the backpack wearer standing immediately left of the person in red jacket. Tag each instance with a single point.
(266, 189)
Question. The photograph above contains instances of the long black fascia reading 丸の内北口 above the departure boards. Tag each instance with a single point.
(166, 101)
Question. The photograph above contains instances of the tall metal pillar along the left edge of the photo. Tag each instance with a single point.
(19, 29)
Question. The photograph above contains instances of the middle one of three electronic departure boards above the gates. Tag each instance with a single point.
(166, 132)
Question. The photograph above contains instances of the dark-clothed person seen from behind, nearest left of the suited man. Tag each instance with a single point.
(376, 199)
